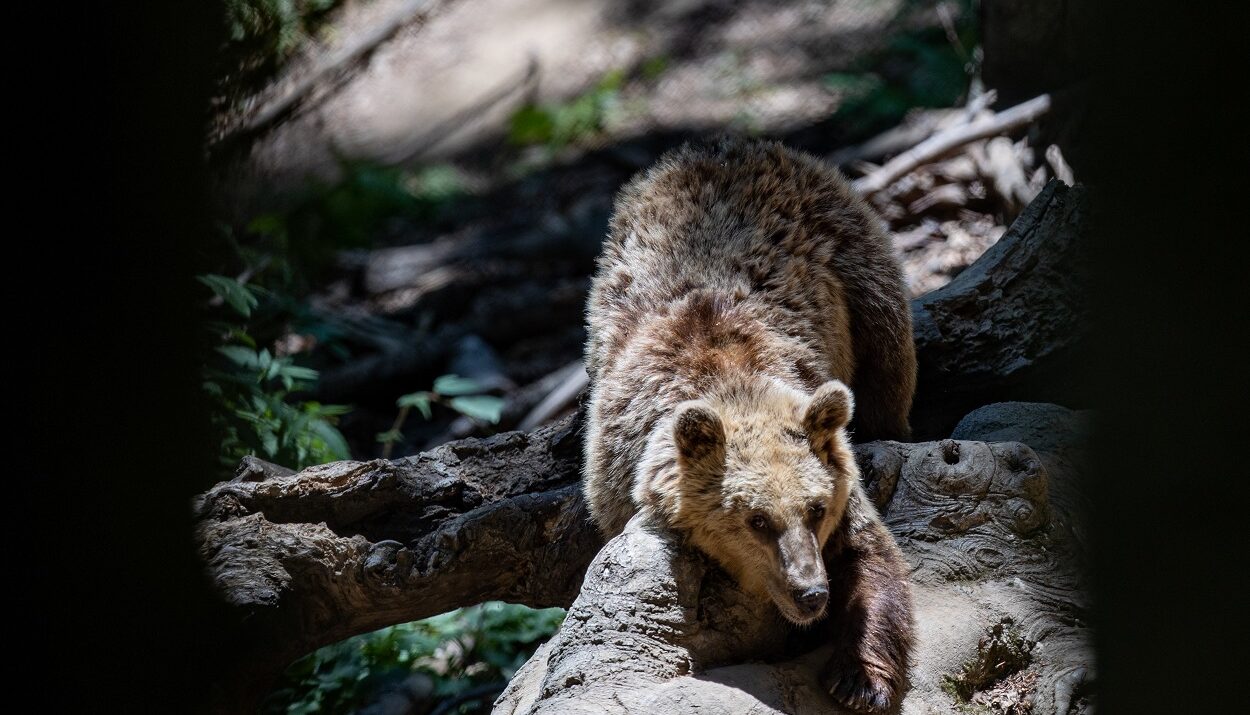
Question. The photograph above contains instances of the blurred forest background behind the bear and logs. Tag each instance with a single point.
(408, 199)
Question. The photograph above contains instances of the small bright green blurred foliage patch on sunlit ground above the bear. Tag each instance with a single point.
(561, 124)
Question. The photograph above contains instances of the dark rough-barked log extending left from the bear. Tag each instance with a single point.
(342, 549)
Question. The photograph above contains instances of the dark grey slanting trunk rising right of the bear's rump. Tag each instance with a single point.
(1014, 326)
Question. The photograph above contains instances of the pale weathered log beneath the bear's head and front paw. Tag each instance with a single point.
(1001, 603)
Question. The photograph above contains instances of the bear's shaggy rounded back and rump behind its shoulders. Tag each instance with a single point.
(767, 227)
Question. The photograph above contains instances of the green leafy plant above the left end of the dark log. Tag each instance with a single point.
(252, 389)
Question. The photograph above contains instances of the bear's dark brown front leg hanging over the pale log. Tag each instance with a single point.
(869, 618)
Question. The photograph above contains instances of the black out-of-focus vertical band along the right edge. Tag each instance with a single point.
(1171, 372)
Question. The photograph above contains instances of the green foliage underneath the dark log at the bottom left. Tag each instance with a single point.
(459, 651)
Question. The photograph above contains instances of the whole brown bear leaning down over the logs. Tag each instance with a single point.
(743, 292)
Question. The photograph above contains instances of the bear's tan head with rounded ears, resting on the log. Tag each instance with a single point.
(758, 477)
